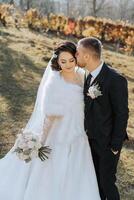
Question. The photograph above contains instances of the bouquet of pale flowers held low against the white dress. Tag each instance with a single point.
(28, 146)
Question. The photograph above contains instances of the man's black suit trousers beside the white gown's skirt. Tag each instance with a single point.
(105, 163)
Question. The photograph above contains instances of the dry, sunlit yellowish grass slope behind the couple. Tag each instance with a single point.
(23, 57)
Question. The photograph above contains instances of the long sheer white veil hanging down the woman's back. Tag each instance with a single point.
(36, 121)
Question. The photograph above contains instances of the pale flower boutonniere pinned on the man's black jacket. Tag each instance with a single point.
(94, 91)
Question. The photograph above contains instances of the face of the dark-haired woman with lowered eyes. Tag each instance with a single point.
(67, 62)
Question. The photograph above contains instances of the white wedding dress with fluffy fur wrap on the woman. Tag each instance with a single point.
(69, 172)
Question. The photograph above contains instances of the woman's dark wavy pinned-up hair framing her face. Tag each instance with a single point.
(69, 47)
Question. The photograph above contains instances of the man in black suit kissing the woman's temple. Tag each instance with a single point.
(106, 114)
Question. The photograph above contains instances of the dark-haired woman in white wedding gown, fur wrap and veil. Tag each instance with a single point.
(58, 118)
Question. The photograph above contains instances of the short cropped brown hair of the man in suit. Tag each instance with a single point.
(92, 44)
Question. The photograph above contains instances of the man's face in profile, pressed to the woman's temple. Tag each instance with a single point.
(80, 56)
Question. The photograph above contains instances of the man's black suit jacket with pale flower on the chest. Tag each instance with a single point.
(106, 116)
